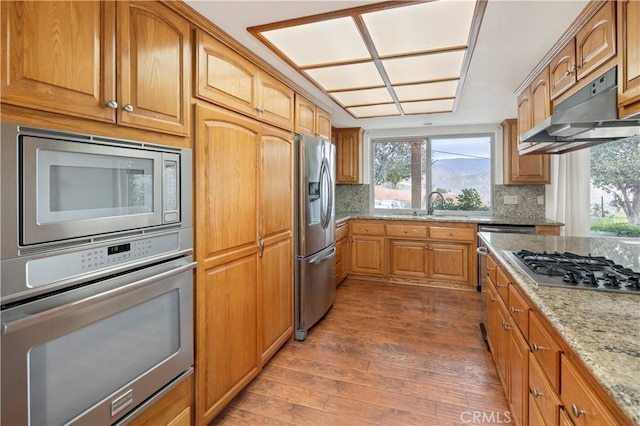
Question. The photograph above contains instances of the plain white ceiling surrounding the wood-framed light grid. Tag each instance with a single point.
(514, 36)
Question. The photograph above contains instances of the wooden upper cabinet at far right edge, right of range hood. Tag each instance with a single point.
(629, 57)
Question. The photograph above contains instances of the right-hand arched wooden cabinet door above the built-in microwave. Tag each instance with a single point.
(154, 67)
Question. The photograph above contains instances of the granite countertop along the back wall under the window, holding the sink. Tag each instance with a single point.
(480, 219)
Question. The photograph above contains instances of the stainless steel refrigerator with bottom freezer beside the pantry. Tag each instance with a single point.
(315, 288)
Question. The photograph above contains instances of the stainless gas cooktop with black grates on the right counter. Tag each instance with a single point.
(571, 270)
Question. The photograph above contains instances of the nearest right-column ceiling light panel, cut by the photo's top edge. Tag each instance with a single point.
(421, 27)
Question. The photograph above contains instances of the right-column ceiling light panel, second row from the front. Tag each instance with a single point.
(424, 67)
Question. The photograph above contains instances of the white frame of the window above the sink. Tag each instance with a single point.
(428, 138)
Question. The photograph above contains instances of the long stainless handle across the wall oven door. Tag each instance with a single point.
(91, 300)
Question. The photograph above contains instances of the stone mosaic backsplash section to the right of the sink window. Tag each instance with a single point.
(523, 201)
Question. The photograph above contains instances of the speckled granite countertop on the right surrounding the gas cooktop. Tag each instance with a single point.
(602, 328)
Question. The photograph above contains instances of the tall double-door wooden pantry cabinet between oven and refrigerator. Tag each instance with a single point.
(244, 249)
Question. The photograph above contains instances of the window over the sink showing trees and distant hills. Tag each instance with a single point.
(404, 171)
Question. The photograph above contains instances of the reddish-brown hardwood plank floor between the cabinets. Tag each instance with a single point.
(386, 354)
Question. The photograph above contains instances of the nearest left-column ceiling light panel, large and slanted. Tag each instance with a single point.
(322, 42)
